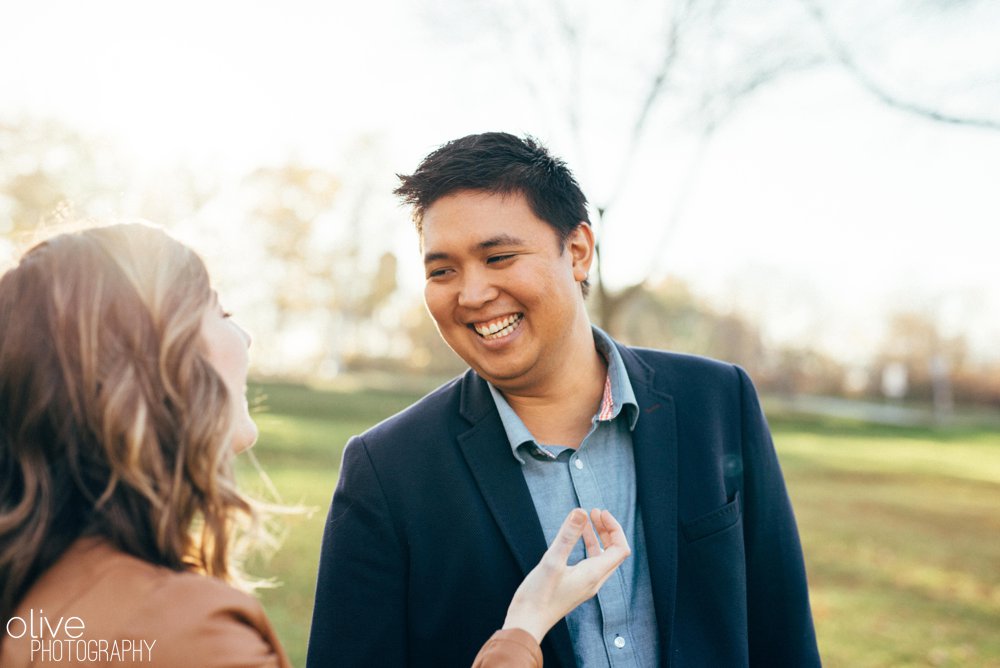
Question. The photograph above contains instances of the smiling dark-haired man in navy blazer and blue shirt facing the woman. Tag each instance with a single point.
(441, 510)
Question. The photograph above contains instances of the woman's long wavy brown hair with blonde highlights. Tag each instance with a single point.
(112, 421)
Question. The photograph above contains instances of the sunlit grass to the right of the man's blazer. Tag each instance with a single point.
(902, 541)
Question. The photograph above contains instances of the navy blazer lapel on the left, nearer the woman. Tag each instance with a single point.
(487, 452)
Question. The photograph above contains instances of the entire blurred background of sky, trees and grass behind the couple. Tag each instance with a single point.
(805, 187)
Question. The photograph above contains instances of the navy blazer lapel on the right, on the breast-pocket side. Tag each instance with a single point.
(654, 442)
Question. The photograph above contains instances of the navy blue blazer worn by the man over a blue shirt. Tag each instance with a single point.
(432, 528)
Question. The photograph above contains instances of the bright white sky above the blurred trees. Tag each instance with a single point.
(813, 205)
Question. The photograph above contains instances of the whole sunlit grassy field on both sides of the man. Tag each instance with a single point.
(899, 525)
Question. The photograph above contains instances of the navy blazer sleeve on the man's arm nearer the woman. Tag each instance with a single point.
(359, 618)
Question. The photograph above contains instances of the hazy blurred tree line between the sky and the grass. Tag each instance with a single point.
(325, 282)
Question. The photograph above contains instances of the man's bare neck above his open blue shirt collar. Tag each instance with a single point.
(560, 413)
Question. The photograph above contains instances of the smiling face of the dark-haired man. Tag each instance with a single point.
(503, 291)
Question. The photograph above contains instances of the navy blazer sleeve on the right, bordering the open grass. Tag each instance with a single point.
(779, 621)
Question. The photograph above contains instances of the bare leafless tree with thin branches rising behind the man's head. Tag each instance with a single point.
(651, 81)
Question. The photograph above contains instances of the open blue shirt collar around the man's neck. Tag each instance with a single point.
(617, 387)
